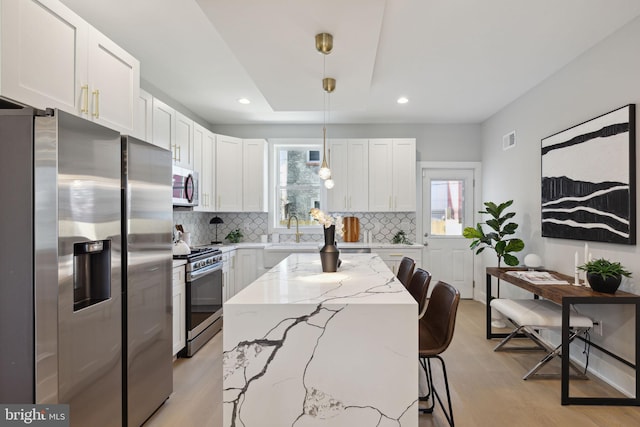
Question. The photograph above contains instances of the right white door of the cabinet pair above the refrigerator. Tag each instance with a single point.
(114, 83)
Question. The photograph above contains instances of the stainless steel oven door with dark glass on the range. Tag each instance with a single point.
(204, 299)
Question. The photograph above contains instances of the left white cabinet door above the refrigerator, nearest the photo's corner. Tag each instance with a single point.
(44, 71)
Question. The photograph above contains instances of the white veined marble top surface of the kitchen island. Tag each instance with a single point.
(361, 279)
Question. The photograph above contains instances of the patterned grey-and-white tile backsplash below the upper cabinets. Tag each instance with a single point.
(383, 226)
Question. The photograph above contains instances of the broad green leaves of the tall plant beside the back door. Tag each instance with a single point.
(497, 239)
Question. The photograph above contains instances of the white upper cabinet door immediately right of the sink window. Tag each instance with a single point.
(349, 163)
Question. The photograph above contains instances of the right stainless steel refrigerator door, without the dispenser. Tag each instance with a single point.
(147, 228)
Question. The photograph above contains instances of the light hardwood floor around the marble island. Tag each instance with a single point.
(486, 387)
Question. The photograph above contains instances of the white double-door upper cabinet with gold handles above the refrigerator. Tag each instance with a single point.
(53, 58)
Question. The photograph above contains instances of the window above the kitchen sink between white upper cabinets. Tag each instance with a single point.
(298, 186)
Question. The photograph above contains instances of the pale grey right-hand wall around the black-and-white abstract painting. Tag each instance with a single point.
(603, 79)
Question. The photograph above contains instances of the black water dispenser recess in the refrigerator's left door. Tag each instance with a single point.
(91, 273)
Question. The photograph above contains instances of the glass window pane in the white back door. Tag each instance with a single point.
(447, 207)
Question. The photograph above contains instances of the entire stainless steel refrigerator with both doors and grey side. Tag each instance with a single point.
(65, 310)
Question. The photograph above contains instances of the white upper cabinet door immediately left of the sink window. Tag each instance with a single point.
(254, 175)
